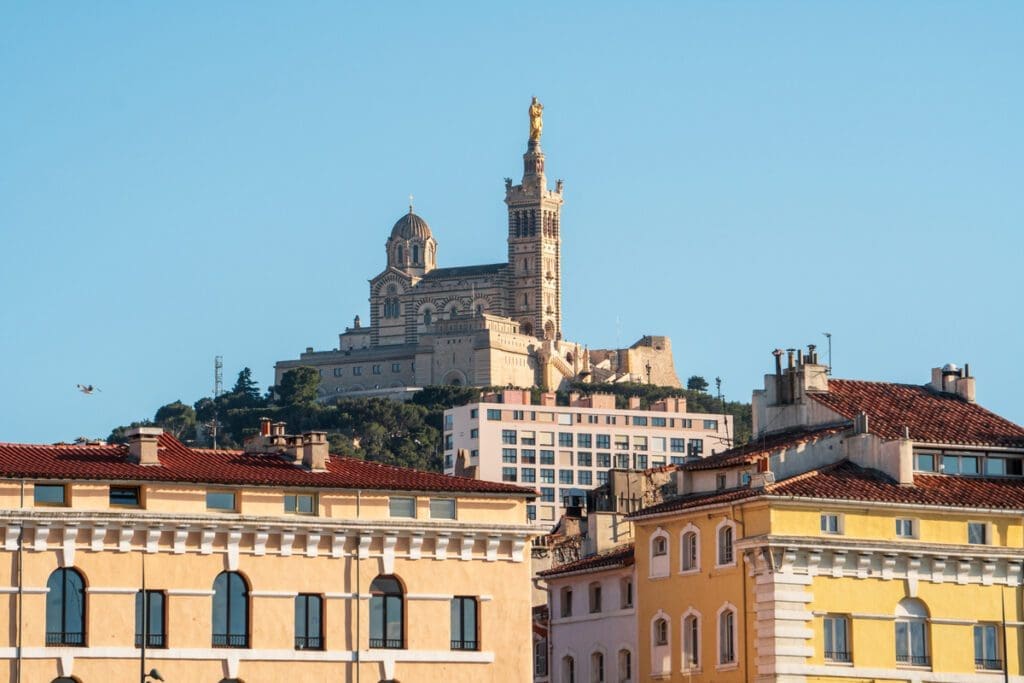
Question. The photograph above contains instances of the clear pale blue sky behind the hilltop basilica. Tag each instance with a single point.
(182, 181)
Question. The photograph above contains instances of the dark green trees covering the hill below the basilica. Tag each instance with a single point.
(407, 435)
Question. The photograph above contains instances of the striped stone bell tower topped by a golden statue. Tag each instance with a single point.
(535, 242)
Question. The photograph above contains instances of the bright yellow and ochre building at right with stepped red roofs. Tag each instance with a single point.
(870, 532)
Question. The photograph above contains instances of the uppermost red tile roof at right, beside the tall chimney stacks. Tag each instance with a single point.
(931, 416)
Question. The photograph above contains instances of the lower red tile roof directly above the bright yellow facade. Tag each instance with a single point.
(846, 482)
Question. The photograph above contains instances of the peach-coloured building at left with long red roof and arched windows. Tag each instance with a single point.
(280, 563)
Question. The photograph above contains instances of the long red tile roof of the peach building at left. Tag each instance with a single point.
(181, 463)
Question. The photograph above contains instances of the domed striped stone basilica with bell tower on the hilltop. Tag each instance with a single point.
(492, 325)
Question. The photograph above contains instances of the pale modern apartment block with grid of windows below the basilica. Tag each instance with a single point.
(565, 451)
